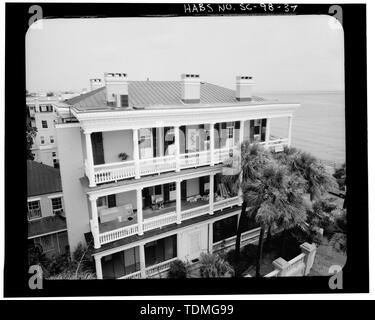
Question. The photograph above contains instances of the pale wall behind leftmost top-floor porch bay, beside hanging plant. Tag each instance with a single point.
(116, 142)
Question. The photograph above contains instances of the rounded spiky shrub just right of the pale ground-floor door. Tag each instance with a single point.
(213, 266)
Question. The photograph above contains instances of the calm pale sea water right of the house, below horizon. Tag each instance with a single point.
(318, 125)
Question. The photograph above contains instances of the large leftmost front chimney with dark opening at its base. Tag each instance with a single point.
(117, 89)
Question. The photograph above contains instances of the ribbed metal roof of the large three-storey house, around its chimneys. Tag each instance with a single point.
(146, 94)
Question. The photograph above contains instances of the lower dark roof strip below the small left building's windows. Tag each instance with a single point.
(46, 225)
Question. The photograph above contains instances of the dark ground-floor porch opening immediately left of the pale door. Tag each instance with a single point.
(160, 250)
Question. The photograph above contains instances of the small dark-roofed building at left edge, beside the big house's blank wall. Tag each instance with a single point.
(46, 214)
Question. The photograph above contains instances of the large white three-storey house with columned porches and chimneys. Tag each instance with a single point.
(142, 164)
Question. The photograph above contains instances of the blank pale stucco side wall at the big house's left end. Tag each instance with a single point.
(72, 169)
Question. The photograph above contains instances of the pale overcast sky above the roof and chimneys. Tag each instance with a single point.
(282, 53)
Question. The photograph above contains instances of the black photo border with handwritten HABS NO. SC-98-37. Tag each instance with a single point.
(16, 276)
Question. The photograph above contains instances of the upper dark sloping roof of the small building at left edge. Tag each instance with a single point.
(42, 179)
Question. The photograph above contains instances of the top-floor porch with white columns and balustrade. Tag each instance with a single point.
(112, 156)
